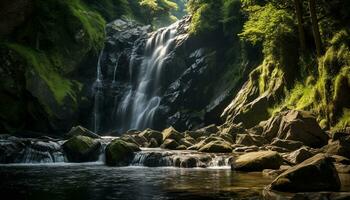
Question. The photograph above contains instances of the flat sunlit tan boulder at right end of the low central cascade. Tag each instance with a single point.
(258, 161)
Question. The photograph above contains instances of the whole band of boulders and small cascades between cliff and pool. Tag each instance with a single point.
(289, 148)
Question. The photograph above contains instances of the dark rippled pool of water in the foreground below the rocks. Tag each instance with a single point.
(96, 181)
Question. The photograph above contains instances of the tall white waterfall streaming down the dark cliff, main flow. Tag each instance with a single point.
(139, 104)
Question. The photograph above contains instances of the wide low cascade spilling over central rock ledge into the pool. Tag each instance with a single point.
(183, 159)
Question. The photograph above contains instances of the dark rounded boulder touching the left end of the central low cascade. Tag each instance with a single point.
(120, 153)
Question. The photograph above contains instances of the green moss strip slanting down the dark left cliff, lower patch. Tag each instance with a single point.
(43, 68)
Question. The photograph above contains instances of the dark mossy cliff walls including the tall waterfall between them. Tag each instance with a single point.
(199, 70)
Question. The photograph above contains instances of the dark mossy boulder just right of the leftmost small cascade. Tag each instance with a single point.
(82, 149)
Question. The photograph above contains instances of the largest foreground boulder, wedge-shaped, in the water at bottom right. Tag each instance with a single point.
(314, 174)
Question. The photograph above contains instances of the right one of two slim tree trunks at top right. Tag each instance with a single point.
(315, 28)
